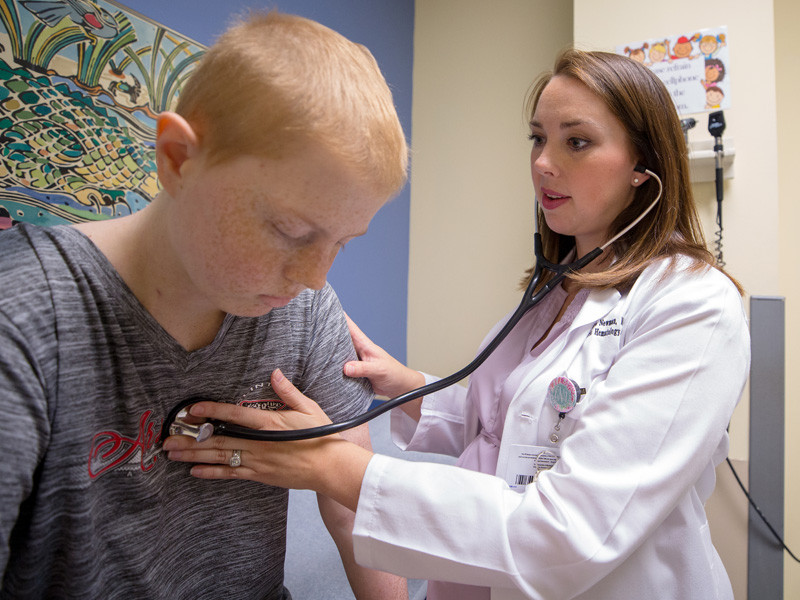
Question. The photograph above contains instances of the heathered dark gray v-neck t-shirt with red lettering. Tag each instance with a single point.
(86, 379)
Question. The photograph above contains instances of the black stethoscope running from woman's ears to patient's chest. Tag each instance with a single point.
(175, 425)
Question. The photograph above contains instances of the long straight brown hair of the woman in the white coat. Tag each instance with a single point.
(643, 106)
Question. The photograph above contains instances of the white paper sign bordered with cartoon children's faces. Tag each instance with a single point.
(694, 66)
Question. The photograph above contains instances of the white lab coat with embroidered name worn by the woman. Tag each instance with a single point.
(621, 515)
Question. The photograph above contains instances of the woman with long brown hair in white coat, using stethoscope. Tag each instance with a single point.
(588, 441)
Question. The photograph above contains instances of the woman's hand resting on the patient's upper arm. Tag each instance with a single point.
(388, 376)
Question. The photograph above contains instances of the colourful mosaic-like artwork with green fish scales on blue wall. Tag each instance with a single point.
(81, 85)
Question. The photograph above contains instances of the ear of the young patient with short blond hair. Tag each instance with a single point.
(176, 143)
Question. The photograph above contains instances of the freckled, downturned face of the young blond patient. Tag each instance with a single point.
(253, 232)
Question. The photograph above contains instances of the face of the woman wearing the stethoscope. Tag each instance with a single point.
(581, 163)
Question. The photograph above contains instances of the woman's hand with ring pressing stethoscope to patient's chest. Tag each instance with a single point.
(329, 465)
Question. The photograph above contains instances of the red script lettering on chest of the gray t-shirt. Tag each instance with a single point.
(111, 449)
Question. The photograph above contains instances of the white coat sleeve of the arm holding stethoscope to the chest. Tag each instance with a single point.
(641, 449)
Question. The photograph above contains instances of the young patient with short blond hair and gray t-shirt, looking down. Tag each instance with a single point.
(283, 146)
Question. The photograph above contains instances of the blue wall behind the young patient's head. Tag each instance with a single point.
(371, 275)
